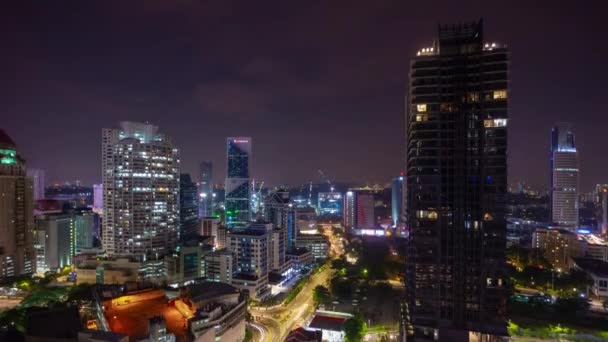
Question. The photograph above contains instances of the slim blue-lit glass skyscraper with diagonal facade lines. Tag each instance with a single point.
(237, 187)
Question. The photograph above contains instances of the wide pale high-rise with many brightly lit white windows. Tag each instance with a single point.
(140, 170)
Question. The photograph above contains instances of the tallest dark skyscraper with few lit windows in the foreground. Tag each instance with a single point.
(456, 184)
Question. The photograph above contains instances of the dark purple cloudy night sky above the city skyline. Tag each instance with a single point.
(317, 84)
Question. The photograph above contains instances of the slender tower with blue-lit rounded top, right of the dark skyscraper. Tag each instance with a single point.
(564, 177)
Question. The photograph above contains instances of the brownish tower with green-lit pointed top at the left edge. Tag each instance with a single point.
(17, 255)
